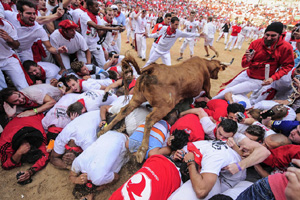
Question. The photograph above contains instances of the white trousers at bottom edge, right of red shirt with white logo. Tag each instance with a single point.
(186, 191)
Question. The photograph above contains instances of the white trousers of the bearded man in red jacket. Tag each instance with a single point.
(242, 84)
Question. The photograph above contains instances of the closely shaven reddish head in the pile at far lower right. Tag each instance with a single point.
(275, 140)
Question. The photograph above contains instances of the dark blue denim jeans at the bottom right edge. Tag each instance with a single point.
(260, 190)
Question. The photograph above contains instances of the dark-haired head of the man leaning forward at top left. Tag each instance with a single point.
(27, 12)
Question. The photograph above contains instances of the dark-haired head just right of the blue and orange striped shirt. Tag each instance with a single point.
(178, 139)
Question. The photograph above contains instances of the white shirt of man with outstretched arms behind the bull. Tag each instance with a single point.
(167, 41)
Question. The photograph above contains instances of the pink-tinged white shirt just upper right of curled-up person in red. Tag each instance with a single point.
(57, 115)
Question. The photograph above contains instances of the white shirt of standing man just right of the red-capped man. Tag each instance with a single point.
(90, 35)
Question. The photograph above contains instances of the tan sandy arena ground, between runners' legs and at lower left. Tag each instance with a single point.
(51, 183)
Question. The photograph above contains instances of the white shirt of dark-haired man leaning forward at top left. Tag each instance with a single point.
(26, 35)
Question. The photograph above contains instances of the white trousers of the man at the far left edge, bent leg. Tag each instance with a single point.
(11, 66)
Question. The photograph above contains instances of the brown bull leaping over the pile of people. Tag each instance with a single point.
(164, 87)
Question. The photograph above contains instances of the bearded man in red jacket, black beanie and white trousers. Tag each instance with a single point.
(267, 59)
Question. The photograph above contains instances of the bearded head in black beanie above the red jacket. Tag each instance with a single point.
(272, 33)
